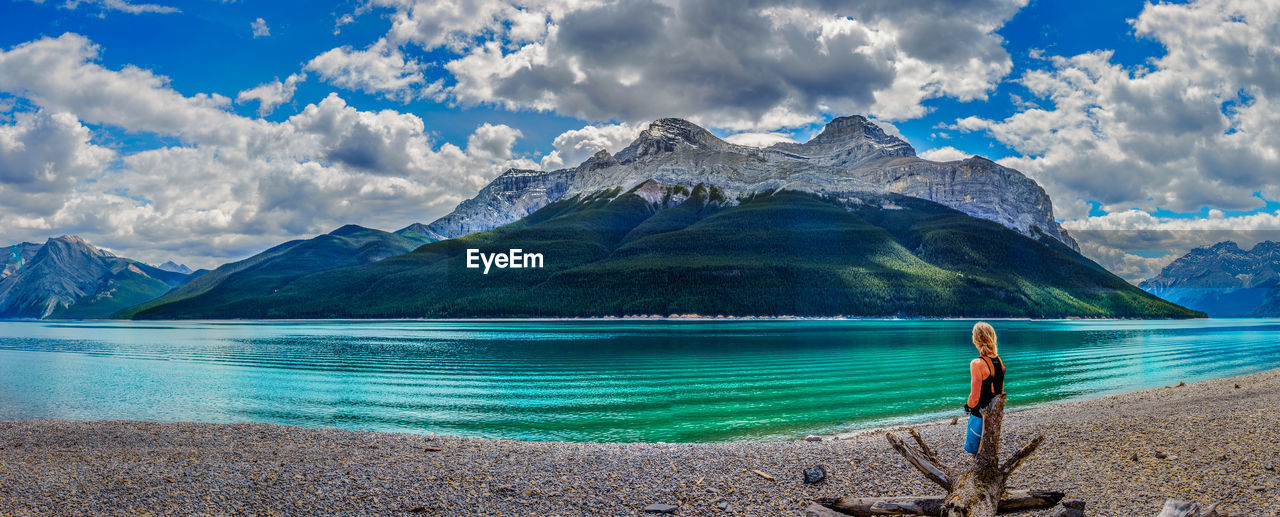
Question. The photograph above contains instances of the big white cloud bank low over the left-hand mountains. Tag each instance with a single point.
(234, 186)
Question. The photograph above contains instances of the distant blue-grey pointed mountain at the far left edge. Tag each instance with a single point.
(70, 278)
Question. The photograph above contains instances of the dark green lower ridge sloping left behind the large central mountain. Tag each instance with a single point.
(212, 294)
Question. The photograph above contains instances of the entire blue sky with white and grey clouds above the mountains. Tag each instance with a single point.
(207, 131)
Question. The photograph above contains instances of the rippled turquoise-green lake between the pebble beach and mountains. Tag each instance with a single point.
(592, 381)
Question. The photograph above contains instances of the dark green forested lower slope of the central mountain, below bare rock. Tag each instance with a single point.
(666, 249)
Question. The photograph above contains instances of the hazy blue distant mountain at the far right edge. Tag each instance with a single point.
(1224, 281)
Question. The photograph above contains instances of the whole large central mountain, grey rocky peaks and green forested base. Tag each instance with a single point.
(680, 222)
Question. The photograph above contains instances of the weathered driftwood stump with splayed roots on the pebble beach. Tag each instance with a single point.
(975, 492)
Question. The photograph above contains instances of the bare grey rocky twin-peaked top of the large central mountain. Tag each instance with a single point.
(851, 158)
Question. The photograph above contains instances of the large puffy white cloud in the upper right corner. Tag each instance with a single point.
(1196, 127)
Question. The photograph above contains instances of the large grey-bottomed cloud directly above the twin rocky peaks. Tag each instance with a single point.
(747, 67)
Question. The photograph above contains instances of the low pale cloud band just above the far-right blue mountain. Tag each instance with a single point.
(1136, 245)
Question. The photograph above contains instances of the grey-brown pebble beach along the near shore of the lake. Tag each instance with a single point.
(1215, 441)
